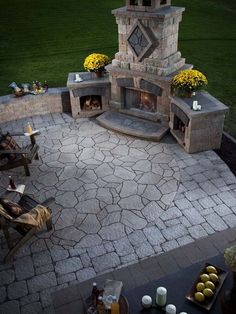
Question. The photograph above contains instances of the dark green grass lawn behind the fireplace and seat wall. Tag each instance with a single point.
(47, 39)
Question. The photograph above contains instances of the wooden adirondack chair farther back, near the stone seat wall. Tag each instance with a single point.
(12, 155)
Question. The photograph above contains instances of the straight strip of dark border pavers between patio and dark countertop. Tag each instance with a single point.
(151, 269)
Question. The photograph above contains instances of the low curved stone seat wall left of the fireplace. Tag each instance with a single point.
(53, 101)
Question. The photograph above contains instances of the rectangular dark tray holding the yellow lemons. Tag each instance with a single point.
(207, 304)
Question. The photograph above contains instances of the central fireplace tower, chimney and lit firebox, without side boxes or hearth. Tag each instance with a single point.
(141, 72)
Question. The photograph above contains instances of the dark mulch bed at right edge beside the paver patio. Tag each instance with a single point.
(227, 152)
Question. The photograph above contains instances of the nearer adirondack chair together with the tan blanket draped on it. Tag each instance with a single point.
(26, 217)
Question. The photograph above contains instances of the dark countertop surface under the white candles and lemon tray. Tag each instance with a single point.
(178, 285)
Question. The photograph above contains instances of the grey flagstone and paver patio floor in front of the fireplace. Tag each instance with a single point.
(118, 199)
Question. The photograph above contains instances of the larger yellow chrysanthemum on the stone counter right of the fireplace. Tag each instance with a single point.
(188, 81)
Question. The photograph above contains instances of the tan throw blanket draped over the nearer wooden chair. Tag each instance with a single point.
(36, 217)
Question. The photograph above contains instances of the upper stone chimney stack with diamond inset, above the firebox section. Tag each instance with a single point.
(148, 37)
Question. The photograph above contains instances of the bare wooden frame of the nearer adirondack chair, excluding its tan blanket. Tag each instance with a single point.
(26, 231)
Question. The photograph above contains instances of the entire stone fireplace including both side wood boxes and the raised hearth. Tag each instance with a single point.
(138, 83)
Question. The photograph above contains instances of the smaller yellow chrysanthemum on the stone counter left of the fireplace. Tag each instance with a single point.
(96, 62)
